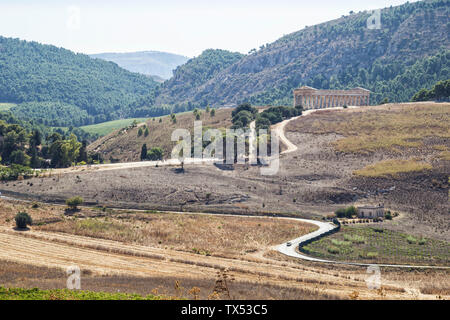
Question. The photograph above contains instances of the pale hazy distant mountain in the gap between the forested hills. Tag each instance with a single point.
(151, 63)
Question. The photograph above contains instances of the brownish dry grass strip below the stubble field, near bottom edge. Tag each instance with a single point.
(14, 274)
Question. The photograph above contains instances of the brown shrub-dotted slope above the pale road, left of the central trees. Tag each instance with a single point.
(126, 145)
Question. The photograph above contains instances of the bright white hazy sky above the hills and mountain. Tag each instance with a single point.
(179, 26)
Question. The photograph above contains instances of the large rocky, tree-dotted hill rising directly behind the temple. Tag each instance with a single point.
(406, 54)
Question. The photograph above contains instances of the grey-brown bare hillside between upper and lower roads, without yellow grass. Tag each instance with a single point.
(314, 180)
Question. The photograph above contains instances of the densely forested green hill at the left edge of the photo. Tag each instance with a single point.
(98, 90)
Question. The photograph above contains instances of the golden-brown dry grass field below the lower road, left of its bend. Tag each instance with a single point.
(202, 234)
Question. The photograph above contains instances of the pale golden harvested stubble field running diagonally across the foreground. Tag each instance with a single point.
(104, 258)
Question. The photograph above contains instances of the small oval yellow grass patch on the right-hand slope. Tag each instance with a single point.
(391, 168)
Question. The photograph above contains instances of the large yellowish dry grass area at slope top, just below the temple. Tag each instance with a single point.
(386, 127)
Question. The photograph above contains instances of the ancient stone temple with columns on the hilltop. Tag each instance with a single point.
(311, 98)
